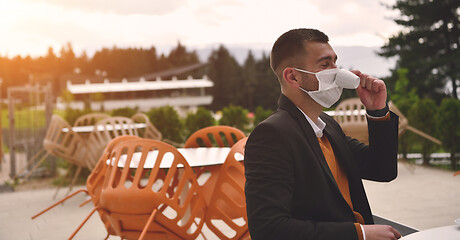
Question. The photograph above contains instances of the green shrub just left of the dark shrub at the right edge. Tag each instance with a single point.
(422, 115)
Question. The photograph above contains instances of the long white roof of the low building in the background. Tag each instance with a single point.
(141, 85)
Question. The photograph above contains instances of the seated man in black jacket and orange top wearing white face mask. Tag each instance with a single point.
(303, 175)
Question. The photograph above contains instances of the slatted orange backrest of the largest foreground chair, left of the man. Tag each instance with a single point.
(131, 194)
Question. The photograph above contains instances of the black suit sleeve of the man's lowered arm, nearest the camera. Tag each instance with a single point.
(269, 193)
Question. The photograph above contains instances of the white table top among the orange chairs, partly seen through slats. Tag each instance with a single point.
(195, 157)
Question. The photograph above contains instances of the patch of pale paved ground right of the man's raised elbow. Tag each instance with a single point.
(421, 197)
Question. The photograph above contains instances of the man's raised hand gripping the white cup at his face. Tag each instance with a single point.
(372, 91)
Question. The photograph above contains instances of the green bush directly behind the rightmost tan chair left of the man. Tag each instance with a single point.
(167, 120)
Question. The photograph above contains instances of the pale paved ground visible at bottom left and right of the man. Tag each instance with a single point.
(422, 198)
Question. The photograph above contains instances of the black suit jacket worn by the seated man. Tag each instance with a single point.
(290, 190)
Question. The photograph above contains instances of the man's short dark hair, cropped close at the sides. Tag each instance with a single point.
(291, 45)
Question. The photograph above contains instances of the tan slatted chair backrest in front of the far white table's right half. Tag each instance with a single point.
(104, 131)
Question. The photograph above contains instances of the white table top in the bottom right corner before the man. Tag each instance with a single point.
(442, 233)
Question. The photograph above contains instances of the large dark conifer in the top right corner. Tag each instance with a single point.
(428, 46)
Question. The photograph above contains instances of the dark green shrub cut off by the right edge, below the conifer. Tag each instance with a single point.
(449, 130)
